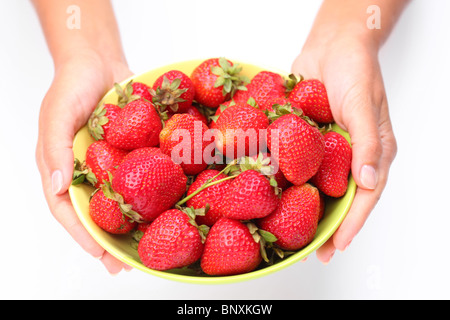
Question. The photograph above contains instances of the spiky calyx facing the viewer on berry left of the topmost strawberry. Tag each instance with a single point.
(168, 94)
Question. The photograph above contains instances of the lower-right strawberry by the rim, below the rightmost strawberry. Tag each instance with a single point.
(294, 222)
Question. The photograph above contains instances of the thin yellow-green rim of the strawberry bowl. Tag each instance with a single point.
(205, 279)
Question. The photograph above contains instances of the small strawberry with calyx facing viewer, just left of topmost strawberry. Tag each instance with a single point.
(173, 91)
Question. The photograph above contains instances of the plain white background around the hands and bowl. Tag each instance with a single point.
(401, 253)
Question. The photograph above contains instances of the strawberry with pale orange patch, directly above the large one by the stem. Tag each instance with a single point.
(182, 140)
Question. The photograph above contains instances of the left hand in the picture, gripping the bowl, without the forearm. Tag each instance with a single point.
(79, 83)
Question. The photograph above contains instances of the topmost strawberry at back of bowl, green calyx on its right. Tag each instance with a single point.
(216, 80)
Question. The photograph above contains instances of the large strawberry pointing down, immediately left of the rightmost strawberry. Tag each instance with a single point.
(297, 146)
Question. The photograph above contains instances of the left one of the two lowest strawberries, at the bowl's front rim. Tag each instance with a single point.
(171, 241)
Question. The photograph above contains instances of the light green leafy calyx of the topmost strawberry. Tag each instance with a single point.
(228, 77)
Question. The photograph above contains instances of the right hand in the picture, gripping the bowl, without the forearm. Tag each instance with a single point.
(350, 71)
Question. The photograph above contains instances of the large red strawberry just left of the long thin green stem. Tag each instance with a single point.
(151, 184)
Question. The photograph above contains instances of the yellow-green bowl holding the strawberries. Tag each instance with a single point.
(122, 246)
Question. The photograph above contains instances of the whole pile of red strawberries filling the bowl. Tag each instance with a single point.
(224, 217)
